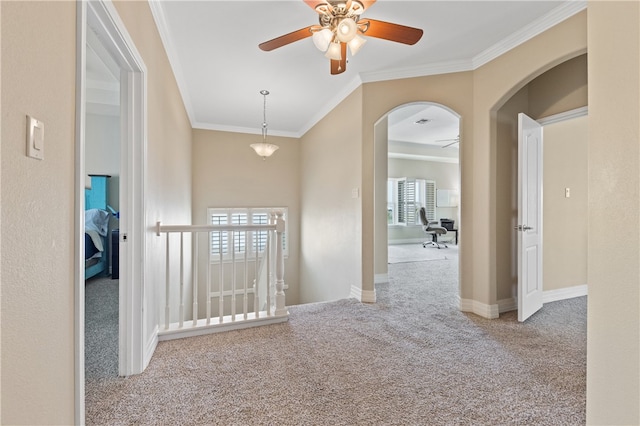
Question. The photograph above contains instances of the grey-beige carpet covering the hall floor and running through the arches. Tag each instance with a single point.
(411, 359)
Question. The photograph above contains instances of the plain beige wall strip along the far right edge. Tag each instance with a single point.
(613, 333)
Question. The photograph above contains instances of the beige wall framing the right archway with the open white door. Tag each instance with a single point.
(494, 84)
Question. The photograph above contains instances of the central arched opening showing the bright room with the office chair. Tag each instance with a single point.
(416, 142)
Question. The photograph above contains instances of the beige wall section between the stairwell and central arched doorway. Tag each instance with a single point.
(330, 252)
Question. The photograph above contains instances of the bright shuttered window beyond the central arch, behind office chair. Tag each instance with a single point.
(406, 196)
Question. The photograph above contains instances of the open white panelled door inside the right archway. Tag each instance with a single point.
(529, 228)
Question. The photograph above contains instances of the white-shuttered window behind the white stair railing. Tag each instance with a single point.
(251, 242)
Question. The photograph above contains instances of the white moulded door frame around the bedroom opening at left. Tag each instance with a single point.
(102, 17)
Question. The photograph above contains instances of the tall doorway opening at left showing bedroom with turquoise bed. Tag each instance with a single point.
(102, 164)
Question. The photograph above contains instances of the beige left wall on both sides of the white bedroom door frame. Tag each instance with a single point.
(38, 78)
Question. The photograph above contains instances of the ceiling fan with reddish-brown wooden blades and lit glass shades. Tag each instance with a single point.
(341, 26)
